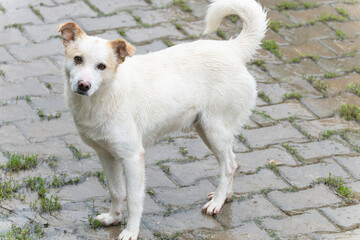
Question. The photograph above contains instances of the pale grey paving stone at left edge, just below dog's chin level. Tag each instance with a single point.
(17, 111)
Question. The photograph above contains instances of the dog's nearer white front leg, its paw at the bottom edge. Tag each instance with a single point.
(135, 191)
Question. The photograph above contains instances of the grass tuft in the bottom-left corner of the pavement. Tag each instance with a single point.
(35, 231)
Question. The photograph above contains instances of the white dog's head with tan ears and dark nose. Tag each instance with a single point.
(91, 62)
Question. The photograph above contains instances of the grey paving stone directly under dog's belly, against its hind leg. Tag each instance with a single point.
(195, 146)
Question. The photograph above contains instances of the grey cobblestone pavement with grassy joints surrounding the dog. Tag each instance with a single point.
(307, 73)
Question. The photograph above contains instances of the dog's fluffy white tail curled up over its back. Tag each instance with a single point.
(254, 19)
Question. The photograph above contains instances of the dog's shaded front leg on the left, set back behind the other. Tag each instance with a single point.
(115, 180)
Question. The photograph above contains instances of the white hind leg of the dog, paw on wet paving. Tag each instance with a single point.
(220, 140)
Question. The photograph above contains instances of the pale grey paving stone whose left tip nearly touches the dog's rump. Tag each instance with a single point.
(286, 110)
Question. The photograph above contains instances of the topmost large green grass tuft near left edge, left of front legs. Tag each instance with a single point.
(19, 162)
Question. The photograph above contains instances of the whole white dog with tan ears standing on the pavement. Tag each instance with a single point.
(121, 105)
